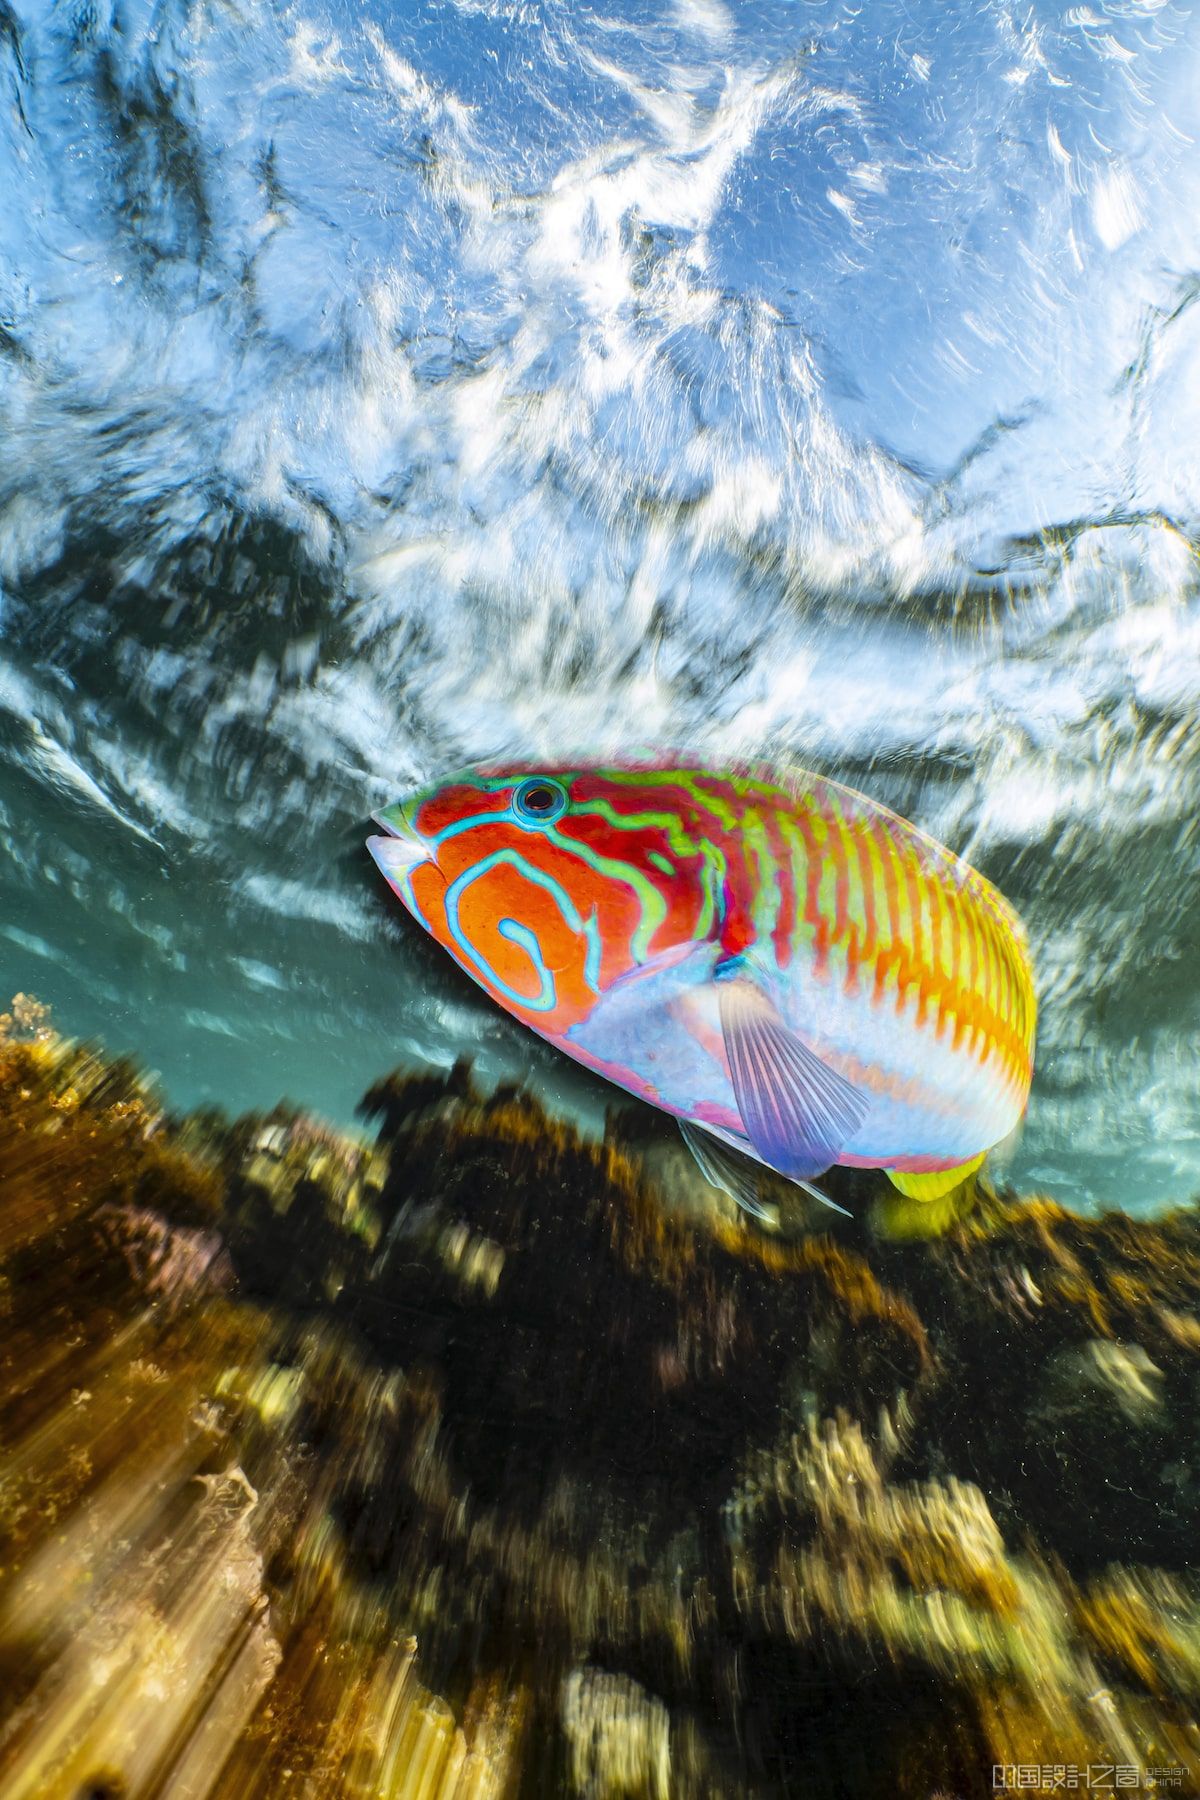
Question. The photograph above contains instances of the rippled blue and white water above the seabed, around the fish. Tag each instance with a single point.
(386, 390)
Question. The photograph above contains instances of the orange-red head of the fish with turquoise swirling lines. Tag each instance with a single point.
(548, 888)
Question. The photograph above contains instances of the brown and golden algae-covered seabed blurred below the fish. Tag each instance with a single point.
(487, 1461)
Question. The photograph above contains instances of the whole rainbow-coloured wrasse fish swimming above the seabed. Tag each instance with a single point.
(789, 967)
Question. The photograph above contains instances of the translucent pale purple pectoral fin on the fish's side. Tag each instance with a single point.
(796, 1110)
